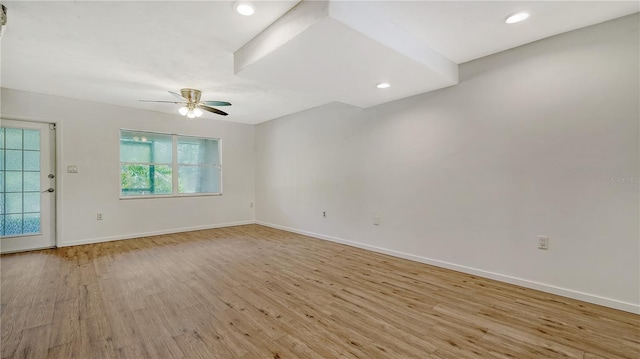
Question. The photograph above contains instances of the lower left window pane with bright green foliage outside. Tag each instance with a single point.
(145, 179)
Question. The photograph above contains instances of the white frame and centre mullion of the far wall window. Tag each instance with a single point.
(174, 167)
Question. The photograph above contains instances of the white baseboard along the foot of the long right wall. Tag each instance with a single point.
(585, 297)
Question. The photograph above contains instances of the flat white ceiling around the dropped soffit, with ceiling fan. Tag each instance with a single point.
(119, 52)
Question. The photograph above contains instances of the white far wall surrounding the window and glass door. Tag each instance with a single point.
(89, 135)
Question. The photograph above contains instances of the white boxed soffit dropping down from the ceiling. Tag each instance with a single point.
(340, 51)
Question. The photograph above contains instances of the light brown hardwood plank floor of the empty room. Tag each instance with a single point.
(255, 292)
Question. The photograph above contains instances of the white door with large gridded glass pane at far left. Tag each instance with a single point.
(27, 184)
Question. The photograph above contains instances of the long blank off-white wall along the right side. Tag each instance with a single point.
(539, 140)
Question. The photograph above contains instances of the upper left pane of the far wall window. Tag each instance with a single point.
(145, 147)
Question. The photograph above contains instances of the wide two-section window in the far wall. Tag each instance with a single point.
(156, 164)
